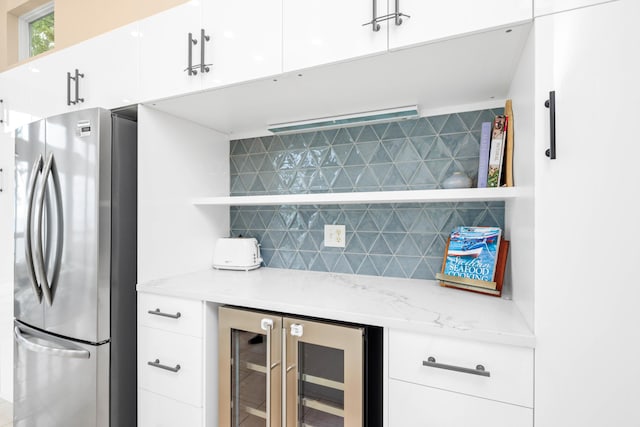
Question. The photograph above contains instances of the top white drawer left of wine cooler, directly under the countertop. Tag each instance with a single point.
(171, 314)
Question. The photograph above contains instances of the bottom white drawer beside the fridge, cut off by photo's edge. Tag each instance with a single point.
(159, 411)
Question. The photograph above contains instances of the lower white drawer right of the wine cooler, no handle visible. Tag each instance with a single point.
(420, 406)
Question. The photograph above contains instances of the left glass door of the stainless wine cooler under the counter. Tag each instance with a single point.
(250, 348)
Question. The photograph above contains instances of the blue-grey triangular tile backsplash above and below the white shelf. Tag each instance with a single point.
(398, 240)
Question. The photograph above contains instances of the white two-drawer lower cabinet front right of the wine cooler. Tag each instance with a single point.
(442, 381)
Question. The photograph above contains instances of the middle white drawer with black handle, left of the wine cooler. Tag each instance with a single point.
(183, 383)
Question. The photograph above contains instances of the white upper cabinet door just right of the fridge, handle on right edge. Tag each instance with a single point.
(164, 41)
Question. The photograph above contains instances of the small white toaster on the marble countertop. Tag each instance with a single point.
(237, 253)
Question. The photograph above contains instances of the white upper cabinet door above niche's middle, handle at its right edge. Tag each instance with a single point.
(322, 31)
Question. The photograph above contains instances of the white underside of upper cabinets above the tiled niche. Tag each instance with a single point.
(470, 70)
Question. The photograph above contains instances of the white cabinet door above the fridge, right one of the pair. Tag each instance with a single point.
(110, 68)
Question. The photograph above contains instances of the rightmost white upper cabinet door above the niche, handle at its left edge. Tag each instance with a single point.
(434, 20)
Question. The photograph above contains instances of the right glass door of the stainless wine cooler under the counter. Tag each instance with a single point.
(324, 374)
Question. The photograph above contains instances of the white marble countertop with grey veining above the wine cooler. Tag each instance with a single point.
(407, 304)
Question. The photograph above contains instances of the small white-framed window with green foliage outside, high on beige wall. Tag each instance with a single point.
(37, 31)
